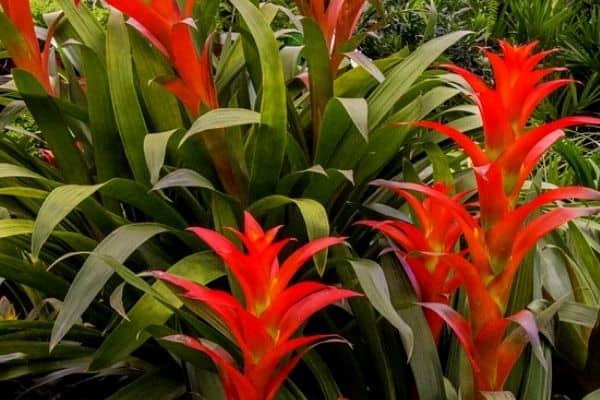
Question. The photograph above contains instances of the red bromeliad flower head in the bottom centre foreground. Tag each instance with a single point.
(273, 310)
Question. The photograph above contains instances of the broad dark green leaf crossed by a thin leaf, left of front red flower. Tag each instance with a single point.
(130, 334)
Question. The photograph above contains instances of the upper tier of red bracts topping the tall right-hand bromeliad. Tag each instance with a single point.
(511, 148)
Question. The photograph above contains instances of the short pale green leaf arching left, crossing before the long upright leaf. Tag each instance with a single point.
(222, 118)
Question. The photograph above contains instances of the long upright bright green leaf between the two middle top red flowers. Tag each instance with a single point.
(268, 150)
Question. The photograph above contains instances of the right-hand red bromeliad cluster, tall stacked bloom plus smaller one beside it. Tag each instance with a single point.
(499, 235)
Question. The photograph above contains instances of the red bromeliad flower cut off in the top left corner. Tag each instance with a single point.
(18, 36)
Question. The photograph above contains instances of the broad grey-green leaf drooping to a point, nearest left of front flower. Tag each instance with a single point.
(94, 274)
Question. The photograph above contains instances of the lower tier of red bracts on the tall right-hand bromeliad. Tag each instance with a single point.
(492, 356)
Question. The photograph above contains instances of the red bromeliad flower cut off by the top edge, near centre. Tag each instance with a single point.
(337, 20)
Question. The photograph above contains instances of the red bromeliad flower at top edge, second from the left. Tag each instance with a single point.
(167, 26)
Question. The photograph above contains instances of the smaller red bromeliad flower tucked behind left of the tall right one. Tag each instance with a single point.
(423, 247)
